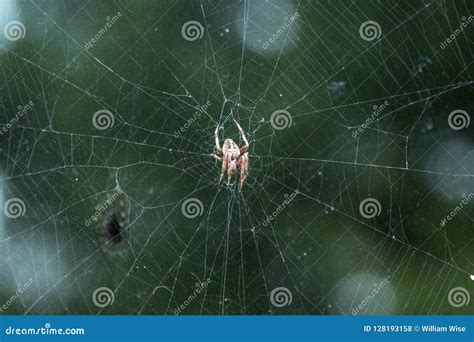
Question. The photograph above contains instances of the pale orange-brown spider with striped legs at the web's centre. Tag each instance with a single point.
(233, 157)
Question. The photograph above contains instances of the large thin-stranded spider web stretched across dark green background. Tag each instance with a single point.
(297, 224)
